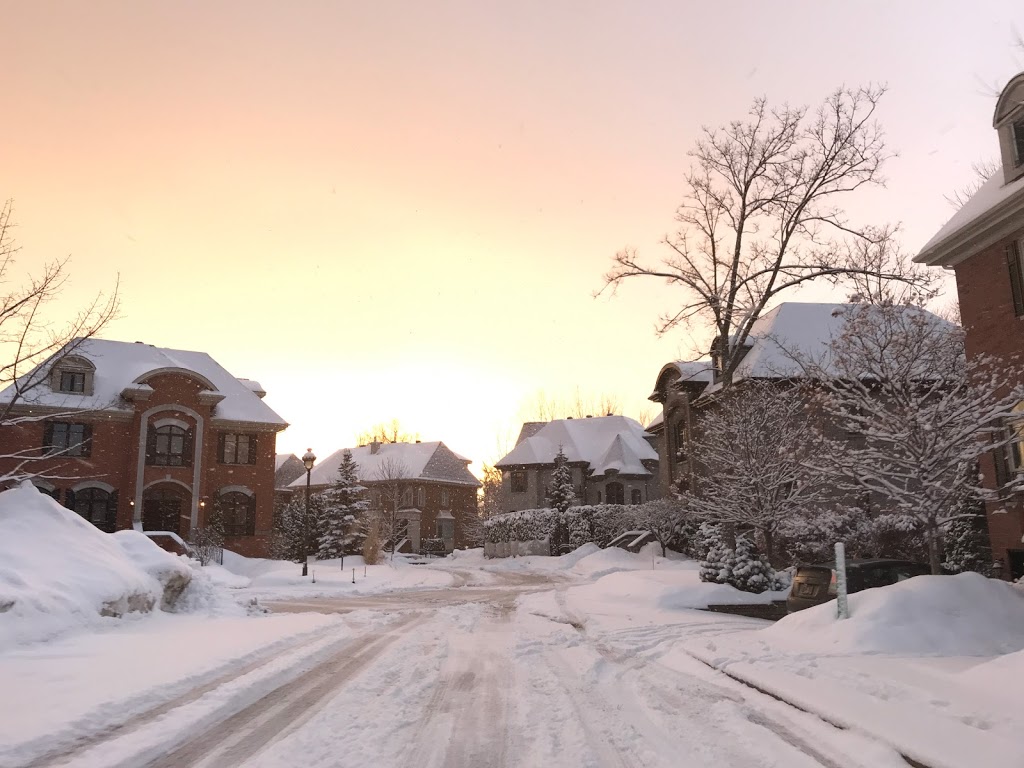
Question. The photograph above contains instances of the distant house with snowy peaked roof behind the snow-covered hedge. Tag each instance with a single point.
(611, 457)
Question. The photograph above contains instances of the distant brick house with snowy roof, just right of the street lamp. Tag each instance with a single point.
(436, 491)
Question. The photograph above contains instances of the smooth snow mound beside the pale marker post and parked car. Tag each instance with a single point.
(959, 616)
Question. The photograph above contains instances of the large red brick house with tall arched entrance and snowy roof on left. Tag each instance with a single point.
(133, 436)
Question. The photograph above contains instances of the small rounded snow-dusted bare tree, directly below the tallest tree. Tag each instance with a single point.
(752, 448)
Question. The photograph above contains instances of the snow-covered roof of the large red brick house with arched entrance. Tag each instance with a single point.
(120, 365)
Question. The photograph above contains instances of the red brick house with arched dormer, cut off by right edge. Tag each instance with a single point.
(984, 244)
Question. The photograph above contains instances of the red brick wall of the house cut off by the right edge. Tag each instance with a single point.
(988, 312)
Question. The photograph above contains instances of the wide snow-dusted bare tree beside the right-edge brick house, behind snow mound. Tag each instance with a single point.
(899, 378)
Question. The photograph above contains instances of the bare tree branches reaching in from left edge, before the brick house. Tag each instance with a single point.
(28, 339)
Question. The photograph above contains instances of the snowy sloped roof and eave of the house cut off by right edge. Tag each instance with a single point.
(978, 224)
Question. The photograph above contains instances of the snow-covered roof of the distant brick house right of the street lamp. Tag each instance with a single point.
(419, 461)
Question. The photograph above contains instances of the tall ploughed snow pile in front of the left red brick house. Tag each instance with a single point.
(59, 572)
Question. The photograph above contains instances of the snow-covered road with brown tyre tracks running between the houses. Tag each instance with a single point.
(501, 674)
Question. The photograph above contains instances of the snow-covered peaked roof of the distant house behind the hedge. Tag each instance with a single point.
(605, 443)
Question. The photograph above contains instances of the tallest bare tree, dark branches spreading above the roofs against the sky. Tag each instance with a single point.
(763, 217)
